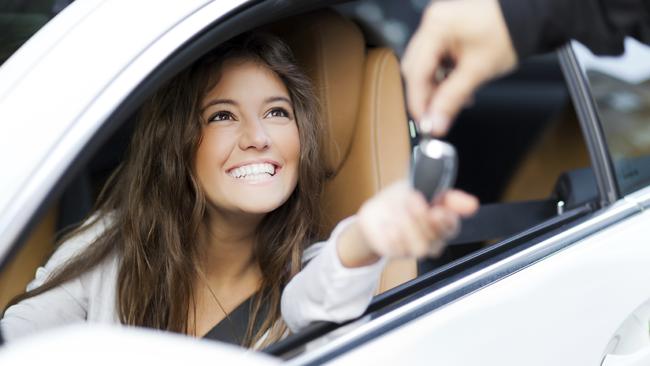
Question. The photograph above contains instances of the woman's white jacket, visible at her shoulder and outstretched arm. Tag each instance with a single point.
(323, 290)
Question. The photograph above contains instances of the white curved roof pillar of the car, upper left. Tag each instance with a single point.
(40, 123)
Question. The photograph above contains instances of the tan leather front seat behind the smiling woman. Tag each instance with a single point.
(361, 93)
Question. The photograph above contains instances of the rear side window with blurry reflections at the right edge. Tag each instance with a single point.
(620, 87)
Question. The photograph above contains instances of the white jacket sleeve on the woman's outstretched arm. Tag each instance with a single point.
(325, 290)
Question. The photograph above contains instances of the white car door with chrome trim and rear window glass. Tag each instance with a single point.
(577, 295)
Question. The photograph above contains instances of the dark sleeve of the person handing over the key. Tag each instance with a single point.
(538, 26)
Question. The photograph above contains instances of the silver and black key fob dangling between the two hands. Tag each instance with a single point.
(434, 167)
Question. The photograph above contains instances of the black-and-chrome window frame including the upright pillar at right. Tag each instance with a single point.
(479, 269)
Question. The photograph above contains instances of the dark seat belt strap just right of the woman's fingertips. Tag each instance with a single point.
(500, 220)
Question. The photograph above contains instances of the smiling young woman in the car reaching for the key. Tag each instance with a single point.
(208, 219)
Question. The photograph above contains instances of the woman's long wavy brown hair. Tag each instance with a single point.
(156, 206)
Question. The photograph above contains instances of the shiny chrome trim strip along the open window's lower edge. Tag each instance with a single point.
(469, 284)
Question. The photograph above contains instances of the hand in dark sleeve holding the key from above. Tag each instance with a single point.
(472, 34)
